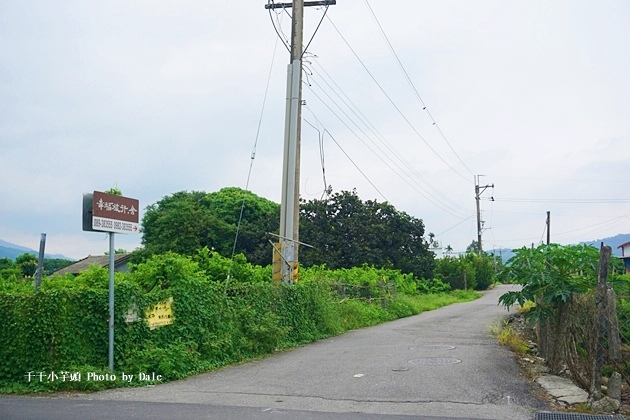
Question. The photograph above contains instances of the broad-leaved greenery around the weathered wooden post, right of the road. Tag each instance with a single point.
(557, 288)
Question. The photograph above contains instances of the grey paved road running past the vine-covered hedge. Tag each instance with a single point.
(439, 364)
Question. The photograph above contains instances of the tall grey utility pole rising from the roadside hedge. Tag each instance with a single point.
(290, 202)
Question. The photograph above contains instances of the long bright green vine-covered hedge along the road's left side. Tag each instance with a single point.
(61, 331)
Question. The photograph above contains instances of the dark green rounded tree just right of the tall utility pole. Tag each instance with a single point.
(347, 232)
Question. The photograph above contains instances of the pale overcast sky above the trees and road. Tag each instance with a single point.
(415, 98)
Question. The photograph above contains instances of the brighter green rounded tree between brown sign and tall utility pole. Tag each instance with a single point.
(189, 220)
